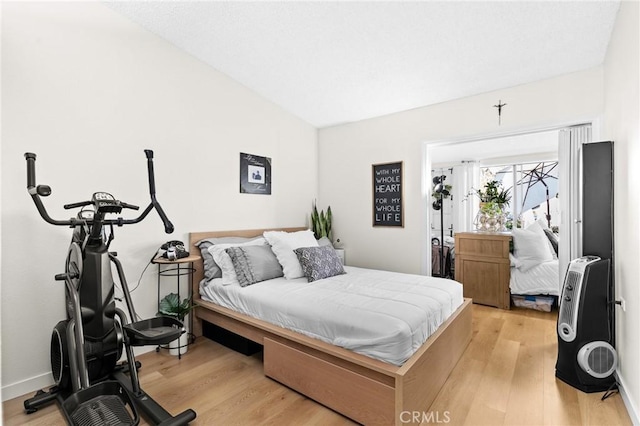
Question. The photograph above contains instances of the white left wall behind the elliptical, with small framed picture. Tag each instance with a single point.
(87, 91)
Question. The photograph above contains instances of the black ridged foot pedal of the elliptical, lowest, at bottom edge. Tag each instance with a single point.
(107, 410)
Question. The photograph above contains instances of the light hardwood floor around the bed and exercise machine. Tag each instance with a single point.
(505, 377)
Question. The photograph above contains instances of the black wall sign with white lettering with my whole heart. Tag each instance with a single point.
(387, 194)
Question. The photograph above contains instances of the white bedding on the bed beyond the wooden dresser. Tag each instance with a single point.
(540, 279)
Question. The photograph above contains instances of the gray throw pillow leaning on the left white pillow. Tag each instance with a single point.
(253, 264)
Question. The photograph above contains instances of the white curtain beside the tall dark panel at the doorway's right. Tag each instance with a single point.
(570, 144)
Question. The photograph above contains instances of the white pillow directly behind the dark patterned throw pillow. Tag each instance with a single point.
(283, 245)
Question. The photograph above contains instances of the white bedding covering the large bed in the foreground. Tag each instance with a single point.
(380, 314)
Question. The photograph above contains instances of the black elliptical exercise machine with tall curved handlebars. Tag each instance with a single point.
(91, 387)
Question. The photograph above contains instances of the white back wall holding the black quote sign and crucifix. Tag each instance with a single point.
(347, 152)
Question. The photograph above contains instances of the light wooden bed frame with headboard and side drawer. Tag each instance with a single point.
(366, 390)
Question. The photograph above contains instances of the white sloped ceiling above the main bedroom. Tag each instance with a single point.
(336, 62)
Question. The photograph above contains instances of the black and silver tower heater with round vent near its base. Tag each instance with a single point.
(587, 359)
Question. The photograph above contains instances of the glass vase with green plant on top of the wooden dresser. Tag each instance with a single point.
(494, 199)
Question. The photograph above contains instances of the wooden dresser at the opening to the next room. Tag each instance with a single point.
(482, 266)
